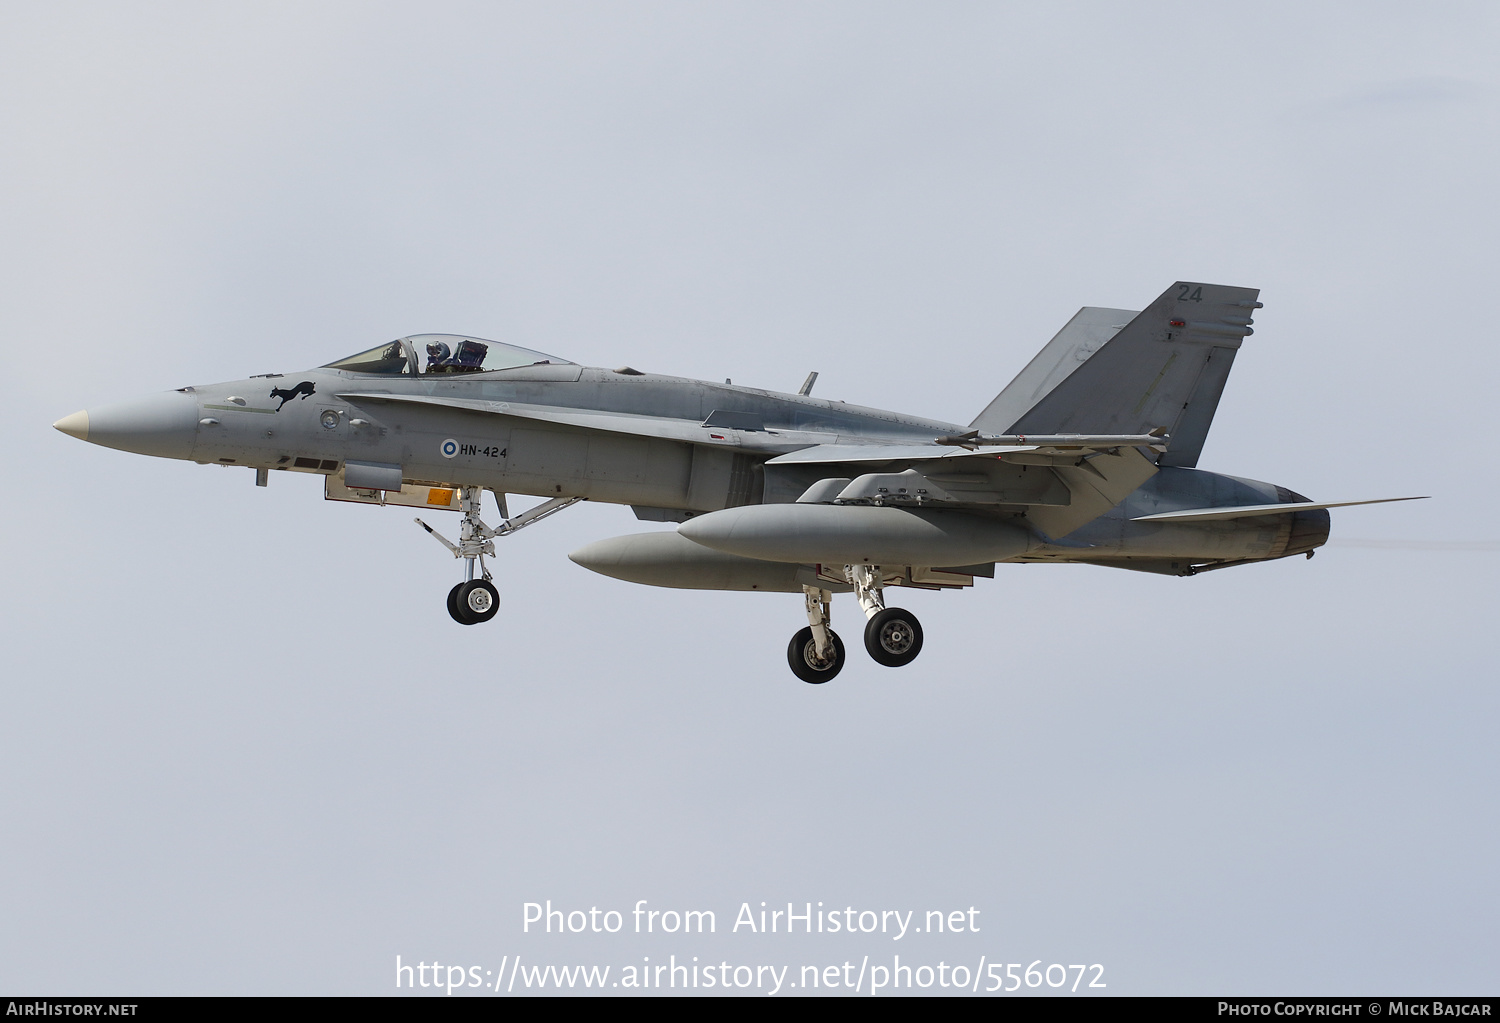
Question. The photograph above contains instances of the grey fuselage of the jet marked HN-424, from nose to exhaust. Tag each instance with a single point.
(307, 422)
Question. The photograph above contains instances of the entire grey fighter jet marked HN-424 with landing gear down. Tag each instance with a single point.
(1088, 457)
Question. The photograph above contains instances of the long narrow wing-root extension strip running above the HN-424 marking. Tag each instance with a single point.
(658, 427)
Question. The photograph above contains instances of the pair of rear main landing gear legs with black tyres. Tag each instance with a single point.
(892, 635)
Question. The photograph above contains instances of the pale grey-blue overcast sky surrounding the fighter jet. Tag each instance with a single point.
(245, 749)
